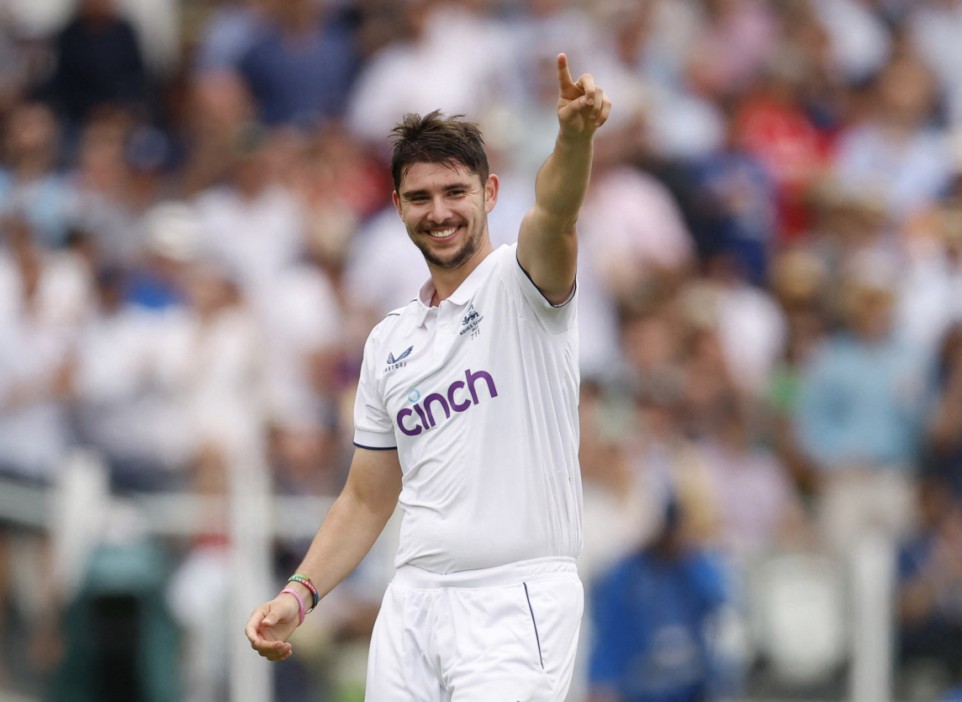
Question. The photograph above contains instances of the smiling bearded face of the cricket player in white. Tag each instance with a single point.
(445, 207)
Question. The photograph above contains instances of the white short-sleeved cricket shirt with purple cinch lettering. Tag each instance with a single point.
(480, 397)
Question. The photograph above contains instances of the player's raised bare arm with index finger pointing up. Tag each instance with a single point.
(547, 242)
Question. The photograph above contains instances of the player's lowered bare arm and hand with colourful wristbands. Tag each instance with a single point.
(348, 532)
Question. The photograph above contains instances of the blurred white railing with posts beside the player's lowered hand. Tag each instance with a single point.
(79, 512)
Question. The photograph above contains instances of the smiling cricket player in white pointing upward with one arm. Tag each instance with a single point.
(466, 417)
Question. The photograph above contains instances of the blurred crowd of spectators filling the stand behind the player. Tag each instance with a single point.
(196, 235)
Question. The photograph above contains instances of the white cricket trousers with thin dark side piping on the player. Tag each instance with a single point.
(503, 634)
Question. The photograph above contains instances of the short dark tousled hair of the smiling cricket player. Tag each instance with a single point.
(435, 138)
